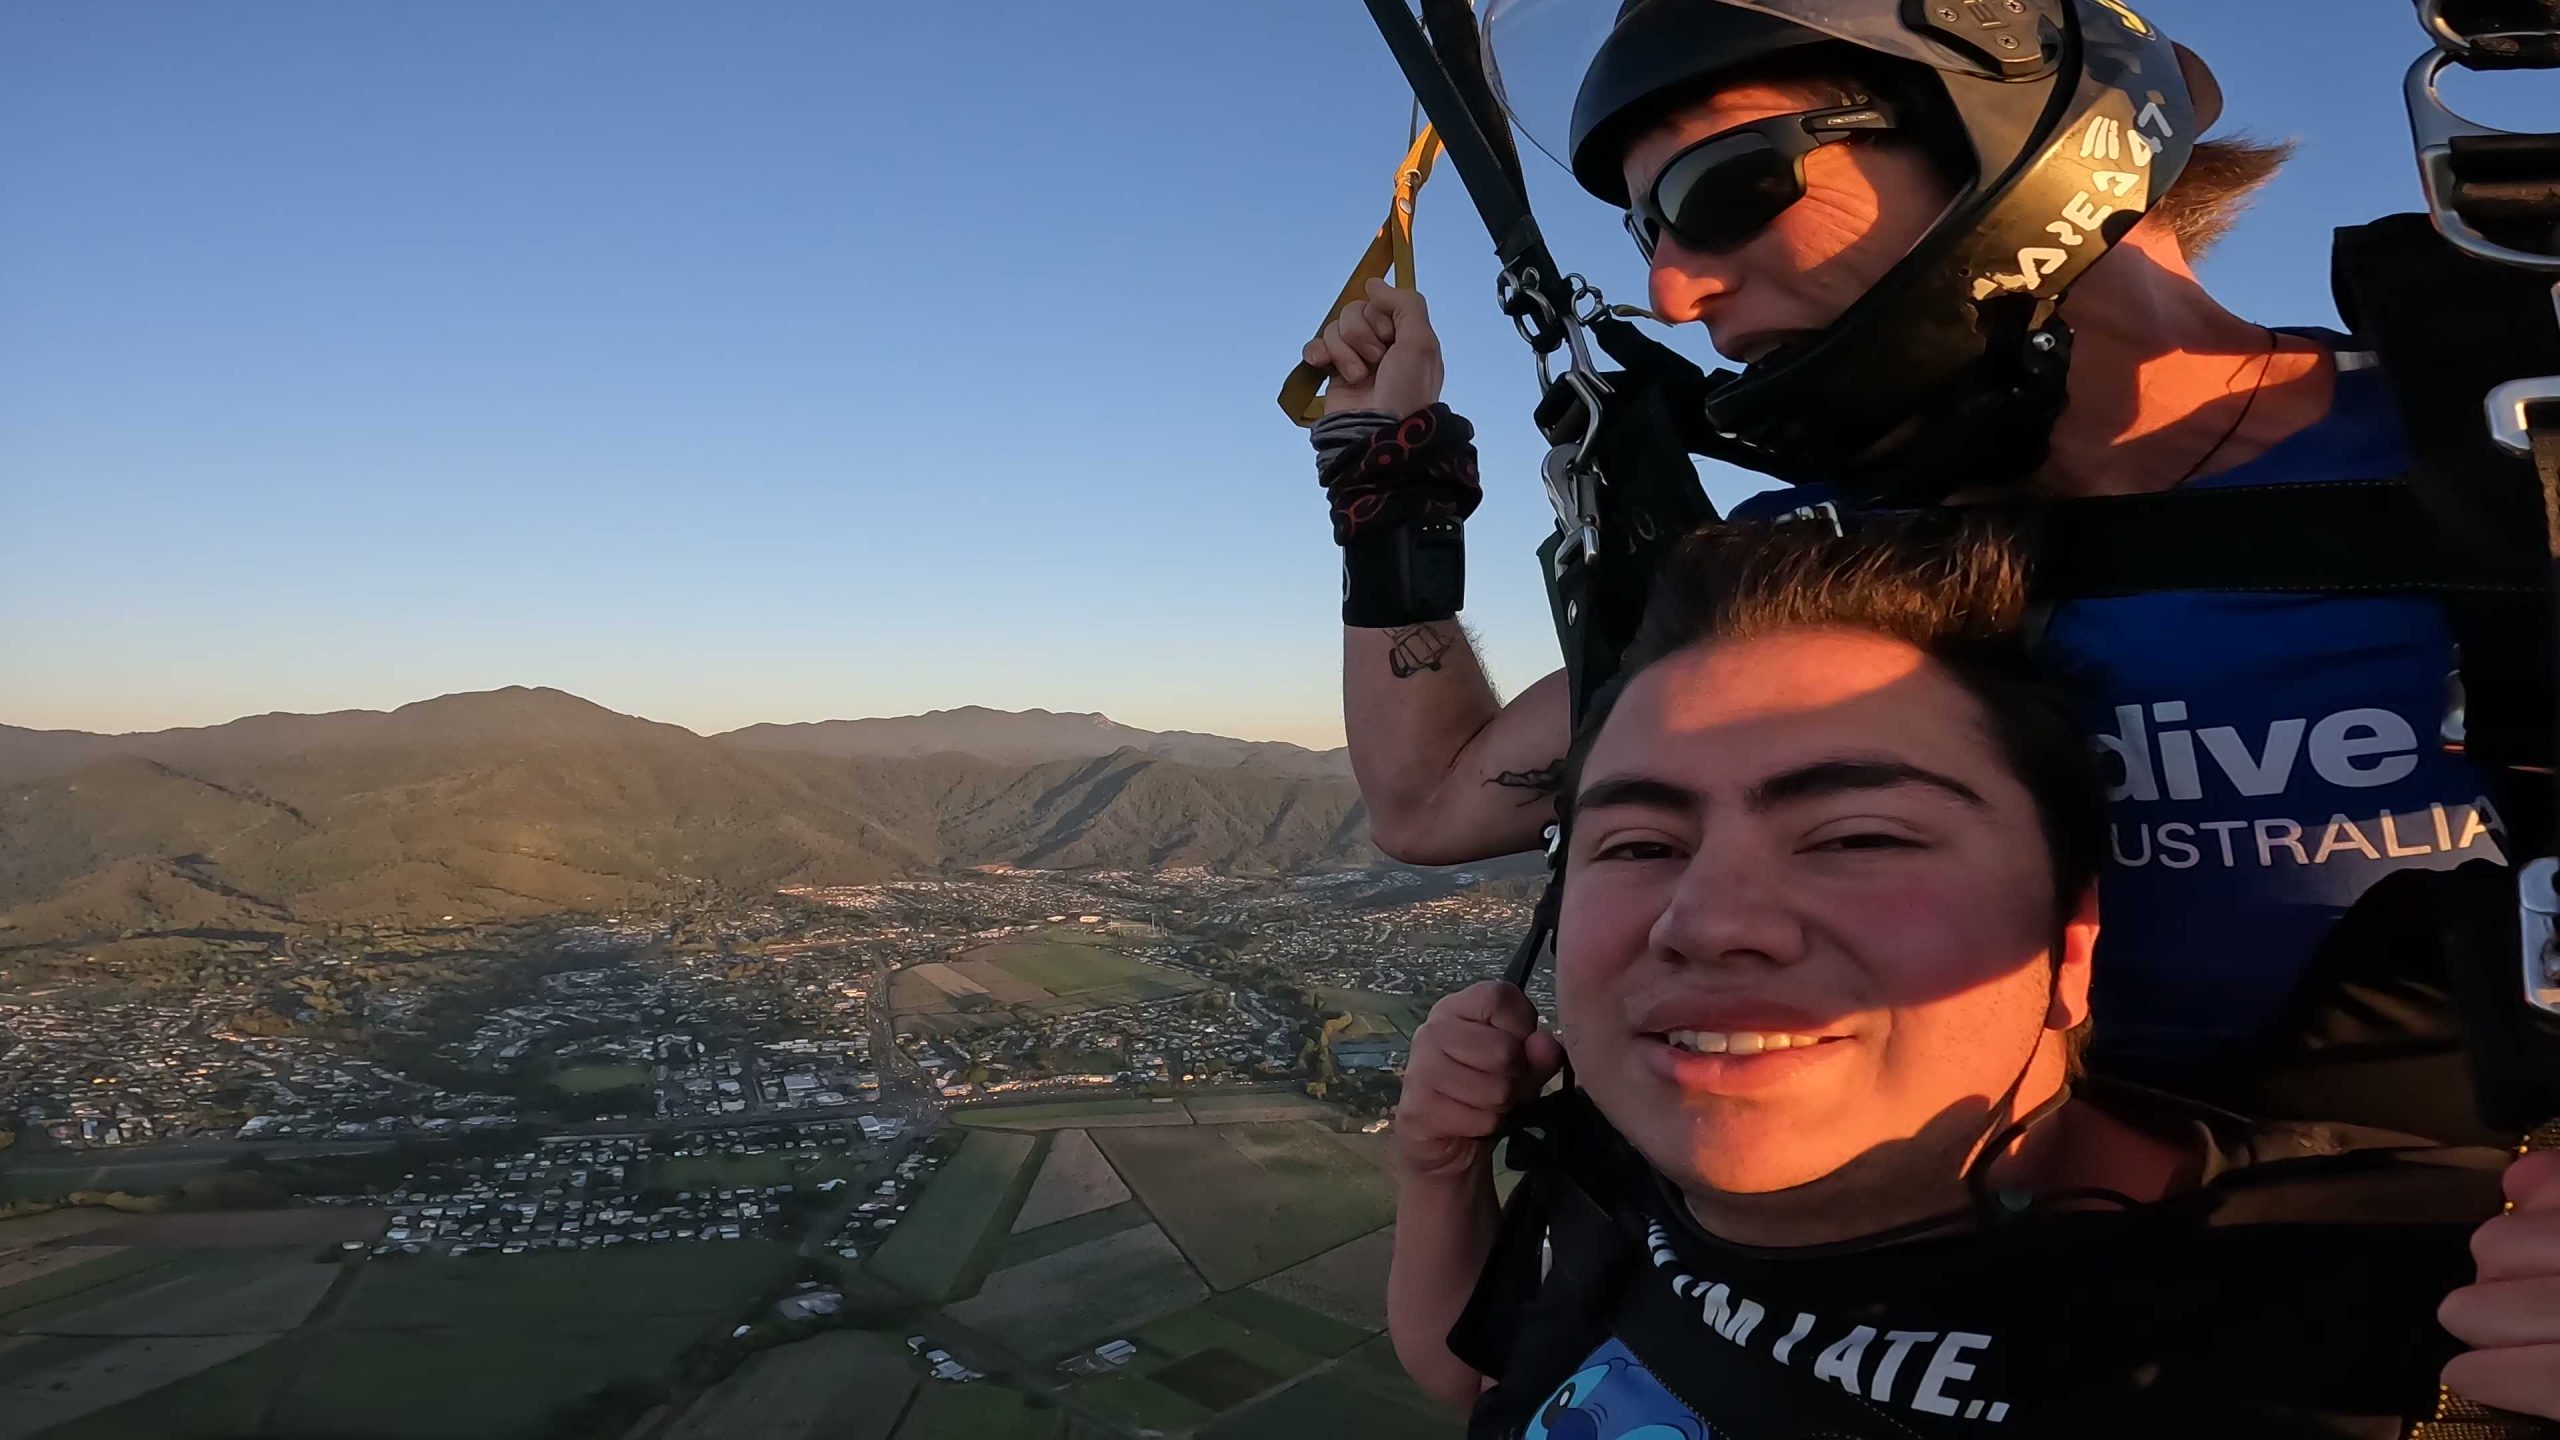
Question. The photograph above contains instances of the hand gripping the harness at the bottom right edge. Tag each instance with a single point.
(2513, 1313)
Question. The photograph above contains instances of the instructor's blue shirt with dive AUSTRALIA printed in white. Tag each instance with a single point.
(2269, 760)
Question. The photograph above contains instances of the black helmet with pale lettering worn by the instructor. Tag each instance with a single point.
(2075, 119)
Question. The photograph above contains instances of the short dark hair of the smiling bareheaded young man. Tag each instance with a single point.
(1952, 588)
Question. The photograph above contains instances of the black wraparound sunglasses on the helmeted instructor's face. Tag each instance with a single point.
(1734, 183)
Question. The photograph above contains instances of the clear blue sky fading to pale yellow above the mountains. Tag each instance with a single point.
(785, 360)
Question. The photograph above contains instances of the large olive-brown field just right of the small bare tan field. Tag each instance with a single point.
(1251, 1200)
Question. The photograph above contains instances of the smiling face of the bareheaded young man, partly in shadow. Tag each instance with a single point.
(1806, 916)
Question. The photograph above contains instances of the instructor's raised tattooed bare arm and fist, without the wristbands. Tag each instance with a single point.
(1448, 770)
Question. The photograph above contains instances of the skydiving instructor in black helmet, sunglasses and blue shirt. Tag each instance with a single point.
(1834, 191)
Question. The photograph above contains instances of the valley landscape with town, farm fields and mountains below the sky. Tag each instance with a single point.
(969, 1149)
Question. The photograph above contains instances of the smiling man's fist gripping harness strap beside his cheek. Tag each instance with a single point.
(1478, 1057)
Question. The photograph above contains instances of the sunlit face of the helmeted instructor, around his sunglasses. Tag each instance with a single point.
(1865, 206)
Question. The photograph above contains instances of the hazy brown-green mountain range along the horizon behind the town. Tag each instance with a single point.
(534, 801)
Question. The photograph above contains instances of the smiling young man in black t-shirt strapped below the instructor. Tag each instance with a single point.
(1821, 962)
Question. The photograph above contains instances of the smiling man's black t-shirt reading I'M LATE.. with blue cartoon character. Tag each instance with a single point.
(2290, 1295)
